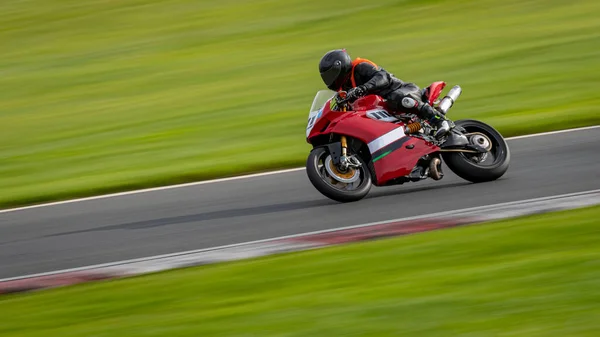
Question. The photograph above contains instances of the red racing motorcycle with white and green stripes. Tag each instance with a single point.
(360, 144)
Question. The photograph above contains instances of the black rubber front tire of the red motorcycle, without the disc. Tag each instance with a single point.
(318, 179)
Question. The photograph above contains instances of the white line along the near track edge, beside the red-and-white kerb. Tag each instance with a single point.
(418, 217)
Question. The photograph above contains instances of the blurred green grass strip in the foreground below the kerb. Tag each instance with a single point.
(535, 276)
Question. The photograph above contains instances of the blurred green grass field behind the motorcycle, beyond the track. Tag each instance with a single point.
(100, 96)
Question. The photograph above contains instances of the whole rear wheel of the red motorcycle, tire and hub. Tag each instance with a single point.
(483, 167)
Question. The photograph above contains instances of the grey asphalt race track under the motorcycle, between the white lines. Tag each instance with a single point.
(136, 225)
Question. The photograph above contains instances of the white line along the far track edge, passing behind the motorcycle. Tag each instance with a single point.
(162, 188)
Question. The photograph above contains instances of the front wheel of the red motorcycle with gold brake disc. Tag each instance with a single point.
(343, 186)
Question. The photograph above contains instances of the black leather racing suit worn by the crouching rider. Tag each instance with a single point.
(380, 82)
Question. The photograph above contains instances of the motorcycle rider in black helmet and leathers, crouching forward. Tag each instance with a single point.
(362, 77)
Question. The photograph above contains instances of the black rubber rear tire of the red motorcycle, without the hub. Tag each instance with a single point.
(469, 170)
